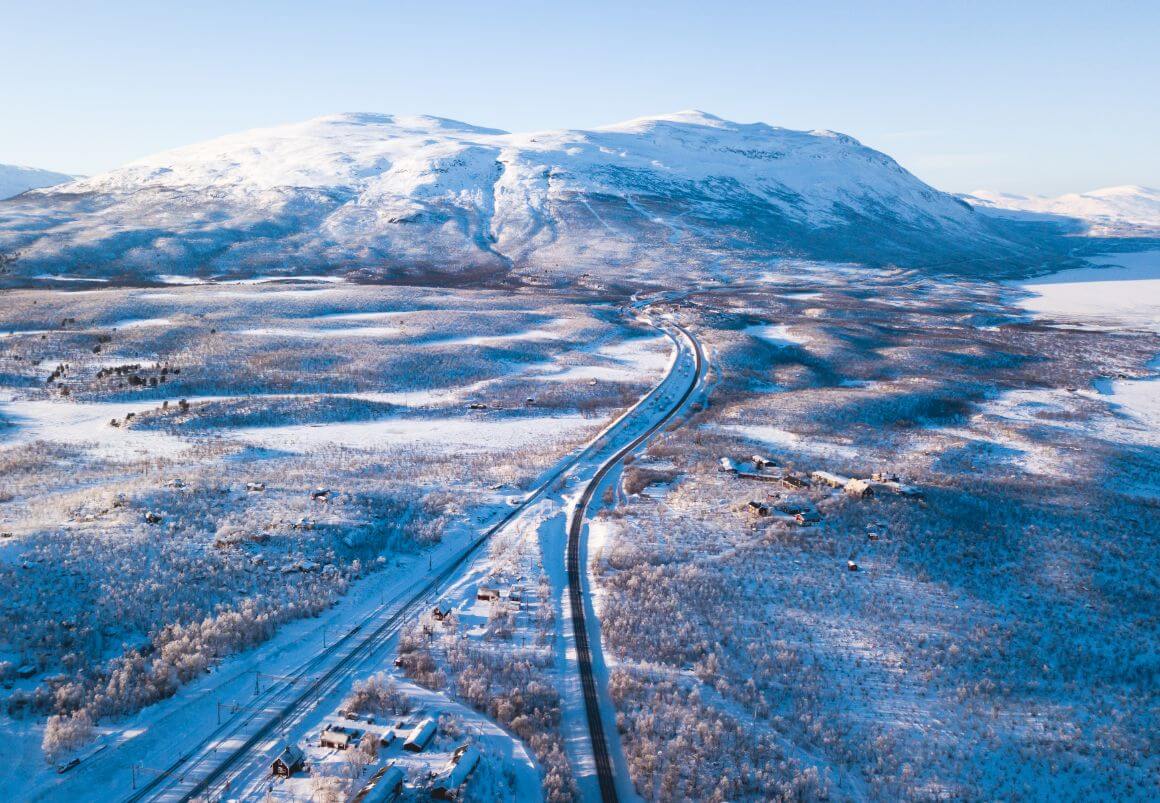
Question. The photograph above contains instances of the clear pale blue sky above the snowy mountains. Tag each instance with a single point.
(1023, 96)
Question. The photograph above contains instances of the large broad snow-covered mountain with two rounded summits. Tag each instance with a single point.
(381, 194)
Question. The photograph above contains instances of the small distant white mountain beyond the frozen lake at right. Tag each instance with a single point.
(1110, 212)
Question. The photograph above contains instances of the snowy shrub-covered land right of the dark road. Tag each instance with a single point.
(978, 628)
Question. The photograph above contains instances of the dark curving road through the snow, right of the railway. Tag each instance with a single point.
(576, 570)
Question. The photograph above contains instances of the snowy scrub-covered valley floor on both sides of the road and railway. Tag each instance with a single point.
(201, 482)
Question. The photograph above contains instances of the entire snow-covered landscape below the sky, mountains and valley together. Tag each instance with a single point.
(295, 425)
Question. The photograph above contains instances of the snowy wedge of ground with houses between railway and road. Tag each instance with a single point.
(519, 631)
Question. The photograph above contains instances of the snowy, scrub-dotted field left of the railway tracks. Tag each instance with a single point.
(168, 451)
